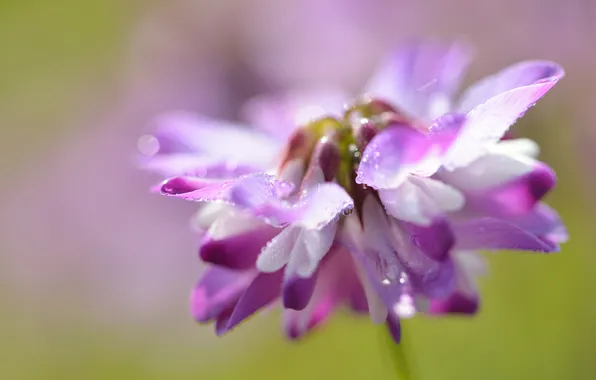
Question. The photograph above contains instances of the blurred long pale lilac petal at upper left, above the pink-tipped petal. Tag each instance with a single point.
(182, 132)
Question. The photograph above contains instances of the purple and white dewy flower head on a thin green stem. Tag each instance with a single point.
(380, 206)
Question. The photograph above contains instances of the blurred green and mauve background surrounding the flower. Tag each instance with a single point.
(89, 291)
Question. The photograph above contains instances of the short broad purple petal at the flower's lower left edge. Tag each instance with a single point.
(217, 290)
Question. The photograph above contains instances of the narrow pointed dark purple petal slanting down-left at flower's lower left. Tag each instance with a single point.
(263, 290)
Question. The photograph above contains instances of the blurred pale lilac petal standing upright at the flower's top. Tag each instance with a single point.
(421, 78)
